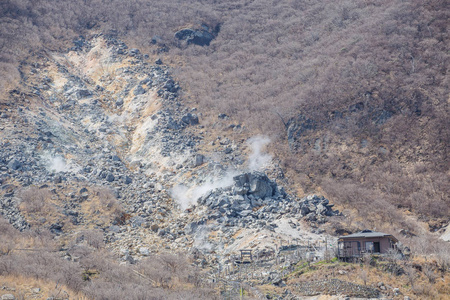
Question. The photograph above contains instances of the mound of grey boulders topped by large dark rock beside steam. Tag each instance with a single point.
(254, 200)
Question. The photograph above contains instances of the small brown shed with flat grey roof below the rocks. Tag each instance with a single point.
(367, 241)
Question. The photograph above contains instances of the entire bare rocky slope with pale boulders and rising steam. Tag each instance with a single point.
(100, 134)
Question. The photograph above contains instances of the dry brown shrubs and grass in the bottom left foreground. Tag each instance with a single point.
(28, 258)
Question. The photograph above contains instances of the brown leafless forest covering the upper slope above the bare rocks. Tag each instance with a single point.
(370, 76)
